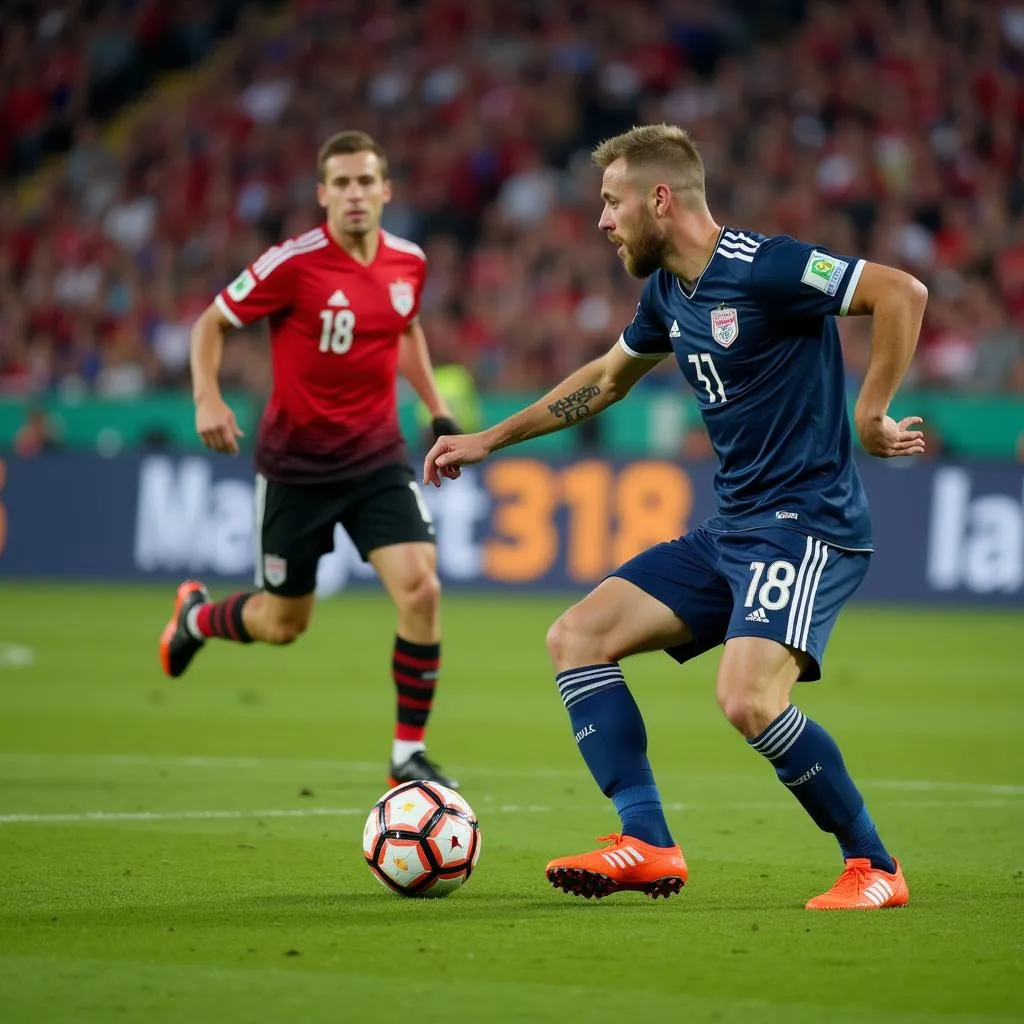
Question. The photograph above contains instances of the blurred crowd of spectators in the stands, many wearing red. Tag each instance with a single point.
(891, 131)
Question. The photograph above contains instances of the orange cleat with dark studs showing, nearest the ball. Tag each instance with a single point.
(628, 866)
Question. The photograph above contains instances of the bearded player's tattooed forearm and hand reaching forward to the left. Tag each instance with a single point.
(585, 394)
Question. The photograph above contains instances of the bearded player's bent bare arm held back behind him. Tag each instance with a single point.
(897, 303)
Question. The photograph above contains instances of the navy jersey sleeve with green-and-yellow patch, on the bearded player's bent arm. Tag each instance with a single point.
(792, 277)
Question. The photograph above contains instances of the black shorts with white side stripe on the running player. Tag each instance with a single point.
(295, 524)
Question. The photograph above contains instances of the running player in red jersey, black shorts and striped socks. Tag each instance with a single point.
(343, 302)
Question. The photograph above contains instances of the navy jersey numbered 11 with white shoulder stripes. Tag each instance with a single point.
(757, 342)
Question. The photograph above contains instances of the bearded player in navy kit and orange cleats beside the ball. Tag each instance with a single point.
(750, 321)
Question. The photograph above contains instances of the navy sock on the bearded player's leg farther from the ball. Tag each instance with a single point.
(809, 764)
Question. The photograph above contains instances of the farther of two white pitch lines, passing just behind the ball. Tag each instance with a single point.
(374, 767)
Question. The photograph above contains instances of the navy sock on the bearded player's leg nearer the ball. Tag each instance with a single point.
(613, 740)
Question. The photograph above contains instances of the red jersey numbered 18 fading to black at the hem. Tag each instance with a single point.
(335, 327)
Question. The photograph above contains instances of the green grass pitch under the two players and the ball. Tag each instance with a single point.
(190, 851)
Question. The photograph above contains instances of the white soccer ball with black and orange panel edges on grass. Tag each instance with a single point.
(421, 839)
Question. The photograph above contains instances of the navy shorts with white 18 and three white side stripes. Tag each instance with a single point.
(776, 583)
